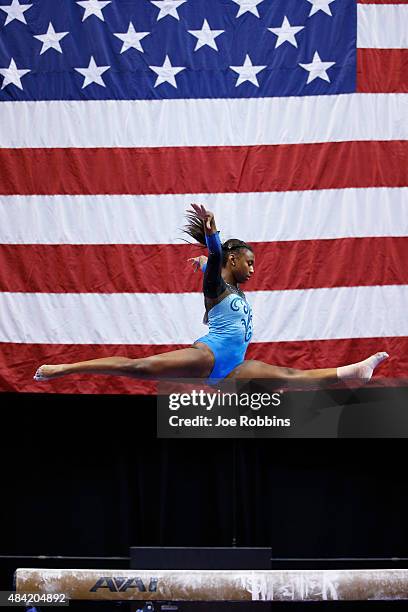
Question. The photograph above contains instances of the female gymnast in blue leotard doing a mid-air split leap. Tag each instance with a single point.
(220, 353)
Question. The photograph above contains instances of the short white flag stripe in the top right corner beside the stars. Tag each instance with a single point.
(382, 26)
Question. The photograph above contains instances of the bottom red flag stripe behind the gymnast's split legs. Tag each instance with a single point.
(18, 362)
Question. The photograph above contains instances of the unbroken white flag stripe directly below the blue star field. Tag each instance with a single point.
(166, 123)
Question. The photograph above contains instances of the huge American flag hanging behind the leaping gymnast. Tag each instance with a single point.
(287, 118)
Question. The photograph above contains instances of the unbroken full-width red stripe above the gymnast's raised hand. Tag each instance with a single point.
(204, 169)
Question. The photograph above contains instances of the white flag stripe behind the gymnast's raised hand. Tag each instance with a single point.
(255, 217)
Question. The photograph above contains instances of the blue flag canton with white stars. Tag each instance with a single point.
(100, 49)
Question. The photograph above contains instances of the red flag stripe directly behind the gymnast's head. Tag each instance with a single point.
(299, 264)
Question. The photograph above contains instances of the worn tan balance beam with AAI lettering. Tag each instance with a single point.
(217, 585)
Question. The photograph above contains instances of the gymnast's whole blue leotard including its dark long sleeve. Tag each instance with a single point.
(230, 320)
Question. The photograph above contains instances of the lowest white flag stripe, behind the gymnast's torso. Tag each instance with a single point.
(313, 314)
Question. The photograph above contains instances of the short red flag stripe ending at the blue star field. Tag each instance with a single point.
(382, 70)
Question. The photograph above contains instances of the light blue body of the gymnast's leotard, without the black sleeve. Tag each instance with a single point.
(230, 329)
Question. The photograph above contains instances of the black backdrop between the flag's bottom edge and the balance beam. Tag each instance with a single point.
(86, 476)
